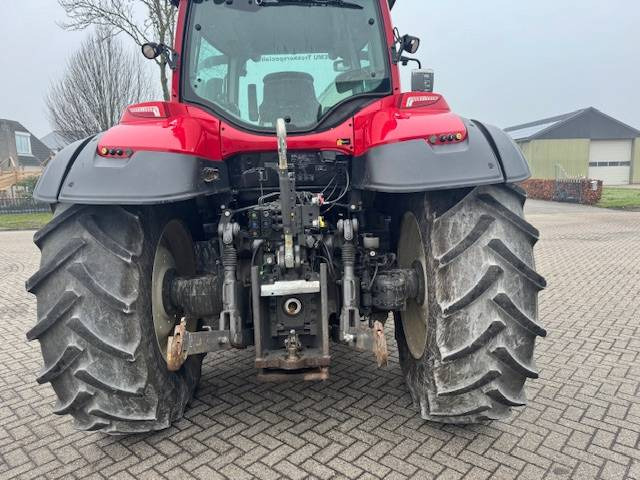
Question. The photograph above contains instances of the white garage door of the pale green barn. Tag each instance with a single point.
(610, 161)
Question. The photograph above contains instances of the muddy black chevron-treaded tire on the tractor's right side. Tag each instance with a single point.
(480, 309)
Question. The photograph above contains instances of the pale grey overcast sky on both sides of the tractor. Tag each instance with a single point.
(501, 61)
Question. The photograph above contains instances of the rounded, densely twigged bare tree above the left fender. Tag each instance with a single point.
(101, 80)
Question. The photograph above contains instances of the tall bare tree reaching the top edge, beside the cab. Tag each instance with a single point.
(122, 16)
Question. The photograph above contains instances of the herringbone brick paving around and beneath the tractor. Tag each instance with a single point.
(582, 421)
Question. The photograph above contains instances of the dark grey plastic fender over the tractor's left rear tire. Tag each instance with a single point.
(81, 176)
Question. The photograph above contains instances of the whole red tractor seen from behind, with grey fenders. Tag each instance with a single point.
(289, 195)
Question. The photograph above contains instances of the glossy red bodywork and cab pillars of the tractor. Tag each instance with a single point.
(192, 130)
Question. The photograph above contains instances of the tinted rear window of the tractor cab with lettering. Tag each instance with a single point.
(253, 64)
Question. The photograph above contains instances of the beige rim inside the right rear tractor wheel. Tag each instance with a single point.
(415, 319)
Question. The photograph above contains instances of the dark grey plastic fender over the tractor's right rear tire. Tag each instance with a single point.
(488, 156)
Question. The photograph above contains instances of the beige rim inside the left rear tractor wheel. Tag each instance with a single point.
(173, 253)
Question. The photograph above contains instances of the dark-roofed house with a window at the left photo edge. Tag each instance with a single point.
(20, 150)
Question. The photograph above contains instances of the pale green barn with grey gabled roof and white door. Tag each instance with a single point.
(586, 143)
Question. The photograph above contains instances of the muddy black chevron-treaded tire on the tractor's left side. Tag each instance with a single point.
(95, 323)
